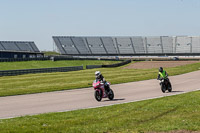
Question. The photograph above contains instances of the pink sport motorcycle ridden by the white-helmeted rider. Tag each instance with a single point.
(100, 91)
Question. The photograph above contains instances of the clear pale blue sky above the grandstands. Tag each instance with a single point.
(39, 20)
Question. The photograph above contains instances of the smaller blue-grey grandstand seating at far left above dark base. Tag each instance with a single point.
(18, 46)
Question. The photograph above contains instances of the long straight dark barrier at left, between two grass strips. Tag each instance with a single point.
(41, 70)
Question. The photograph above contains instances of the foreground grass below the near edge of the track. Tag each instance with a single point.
(174, 113)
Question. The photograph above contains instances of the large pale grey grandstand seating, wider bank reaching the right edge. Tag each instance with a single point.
(127, 45)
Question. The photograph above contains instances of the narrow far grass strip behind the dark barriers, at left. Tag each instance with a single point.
(49, 64)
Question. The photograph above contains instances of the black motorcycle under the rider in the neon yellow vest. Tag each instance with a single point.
(165, 85)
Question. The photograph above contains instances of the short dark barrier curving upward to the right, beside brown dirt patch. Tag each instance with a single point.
(112, 65)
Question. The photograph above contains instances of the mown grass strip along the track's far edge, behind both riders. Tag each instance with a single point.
(46, 82)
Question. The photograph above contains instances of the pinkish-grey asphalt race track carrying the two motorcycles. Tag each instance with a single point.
(60, 101)
